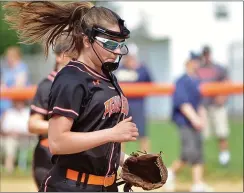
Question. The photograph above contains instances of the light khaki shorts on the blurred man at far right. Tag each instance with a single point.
(217, 121)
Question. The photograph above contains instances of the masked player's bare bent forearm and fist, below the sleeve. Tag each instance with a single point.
(63, 141)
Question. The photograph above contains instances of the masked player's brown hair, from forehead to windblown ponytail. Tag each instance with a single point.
(44, 21)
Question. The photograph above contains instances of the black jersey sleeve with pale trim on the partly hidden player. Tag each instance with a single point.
(40, 101)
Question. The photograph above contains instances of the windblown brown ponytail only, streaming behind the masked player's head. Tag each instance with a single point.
(43, 21)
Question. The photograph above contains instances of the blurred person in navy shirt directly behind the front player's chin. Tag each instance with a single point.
(132, 71)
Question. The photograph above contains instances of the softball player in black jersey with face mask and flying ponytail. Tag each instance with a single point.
(87, 108)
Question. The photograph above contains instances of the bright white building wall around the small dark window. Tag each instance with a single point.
(192, 20)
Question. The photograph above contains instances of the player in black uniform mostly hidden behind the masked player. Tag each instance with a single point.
(38, 122)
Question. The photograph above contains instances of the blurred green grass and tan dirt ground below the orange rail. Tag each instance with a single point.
(164, 137)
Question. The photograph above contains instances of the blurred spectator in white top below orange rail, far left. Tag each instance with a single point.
(15, 135)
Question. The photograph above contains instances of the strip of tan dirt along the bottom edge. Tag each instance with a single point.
(27, 185)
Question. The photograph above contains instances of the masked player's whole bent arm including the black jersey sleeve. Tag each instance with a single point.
(65, 107)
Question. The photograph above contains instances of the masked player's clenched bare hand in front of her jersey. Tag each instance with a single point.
(124, 131)
